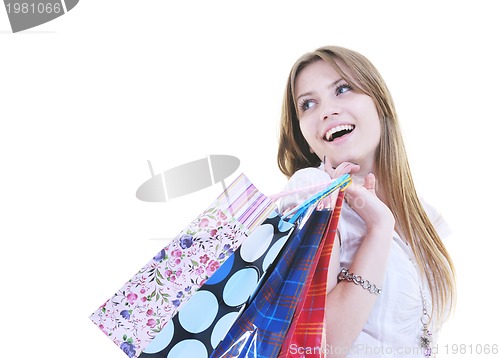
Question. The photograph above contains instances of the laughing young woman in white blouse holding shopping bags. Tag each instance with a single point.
(339, 115)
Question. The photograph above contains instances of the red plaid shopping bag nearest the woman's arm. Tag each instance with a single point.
(305, 335)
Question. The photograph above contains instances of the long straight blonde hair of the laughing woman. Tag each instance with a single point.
(391, 163)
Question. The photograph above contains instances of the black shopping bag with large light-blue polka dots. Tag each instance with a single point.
(202, 323)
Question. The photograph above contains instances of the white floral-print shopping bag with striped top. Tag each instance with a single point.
(144, 305)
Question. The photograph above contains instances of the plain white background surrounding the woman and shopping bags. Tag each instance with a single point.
(87, 99)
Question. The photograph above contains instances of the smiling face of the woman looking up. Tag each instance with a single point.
(336, 120)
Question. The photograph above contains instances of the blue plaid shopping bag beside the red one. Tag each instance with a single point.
(261, 329)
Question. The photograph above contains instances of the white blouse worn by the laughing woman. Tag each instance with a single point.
(394, 327)
